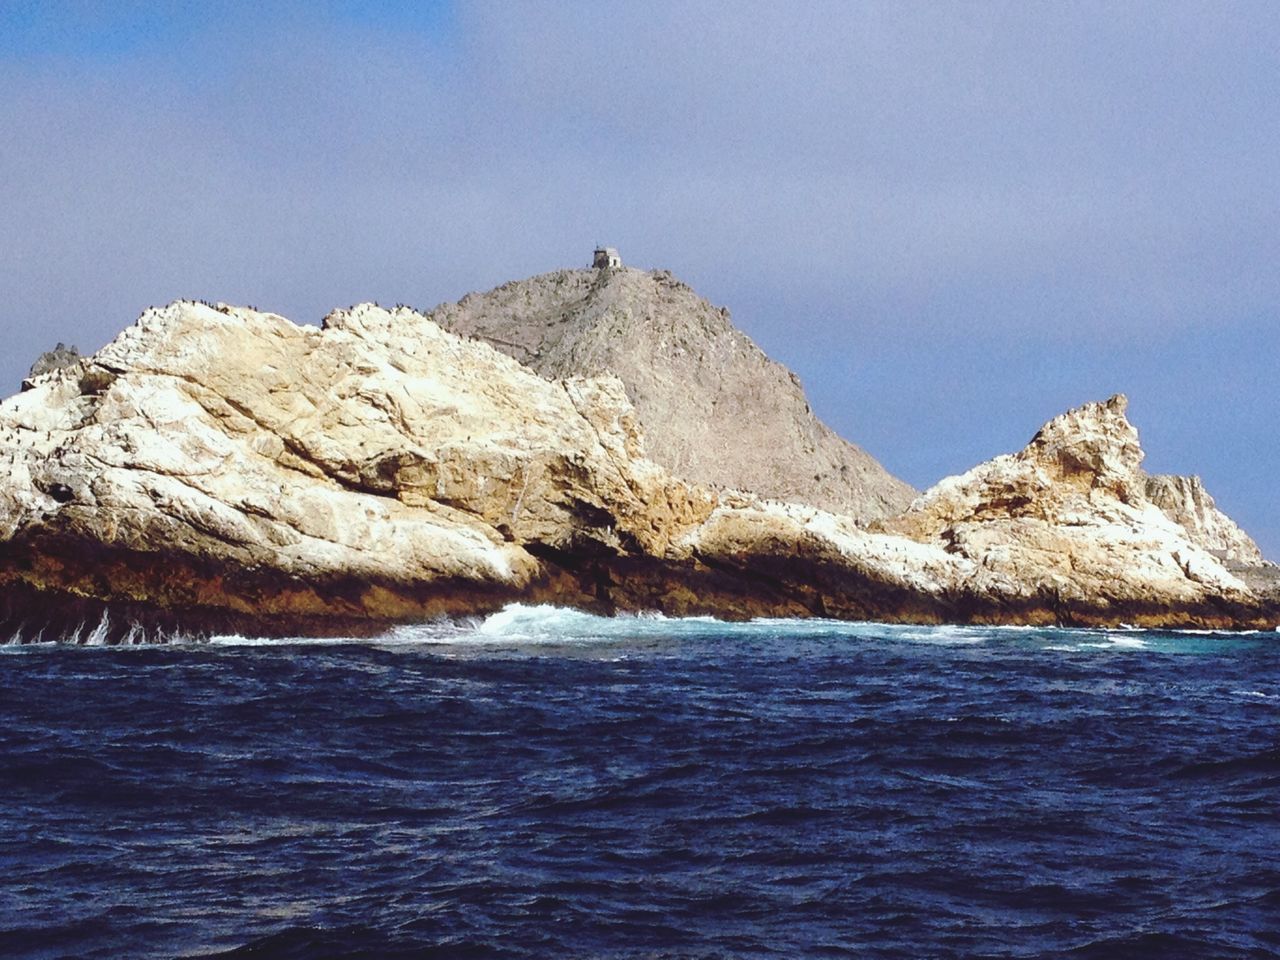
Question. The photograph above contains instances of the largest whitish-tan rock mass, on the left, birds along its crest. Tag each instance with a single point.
(230, 461)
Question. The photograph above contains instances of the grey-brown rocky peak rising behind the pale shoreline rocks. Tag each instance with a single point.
(714, 408)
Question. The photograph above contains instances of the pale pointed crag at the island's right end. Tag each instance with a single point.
(1068, 520)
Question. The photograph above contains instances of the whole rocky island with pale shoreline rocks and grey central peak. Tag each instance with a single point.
(601, 438)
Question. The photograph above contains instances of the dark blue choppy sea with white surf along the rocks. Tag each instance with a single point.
(557, 787)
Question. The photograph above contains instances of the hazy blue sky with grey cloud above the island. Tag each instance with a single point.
(953, 221)
